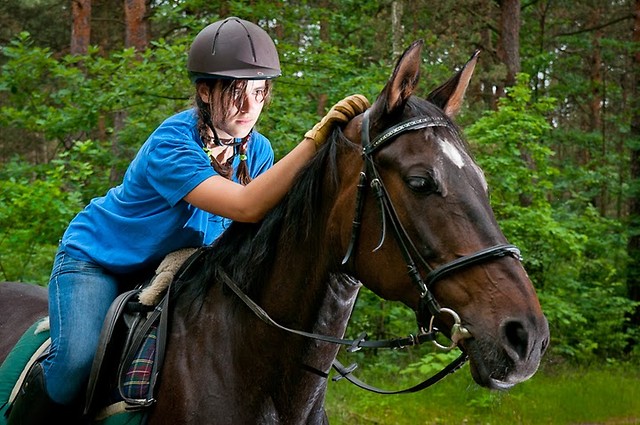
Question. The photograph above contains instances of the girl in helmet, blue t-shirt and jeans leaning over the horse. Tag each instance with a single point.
(198, 171)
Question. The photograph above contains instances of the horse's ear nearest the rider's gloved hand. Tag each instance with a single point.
(402, 83)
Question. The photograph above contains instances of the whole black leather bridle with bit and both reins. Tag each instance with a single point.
(428, 303)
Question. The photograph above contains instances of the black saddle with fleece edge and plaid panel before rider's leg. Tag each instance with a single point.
(132, 342)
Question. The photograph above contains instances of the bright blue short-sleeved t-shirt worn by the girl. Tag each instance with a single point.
(138, 222)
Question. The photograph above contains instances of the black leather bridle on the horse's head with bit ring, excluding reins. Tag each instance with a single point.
(370, 174)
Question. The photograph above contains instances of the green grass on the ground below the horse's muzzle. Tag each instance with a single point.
(555, 395)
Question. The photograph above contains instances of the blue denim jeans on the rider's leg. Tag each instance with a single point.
(80, 294)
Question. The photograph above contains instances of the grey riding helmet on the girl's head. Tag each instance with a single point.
(233, 48)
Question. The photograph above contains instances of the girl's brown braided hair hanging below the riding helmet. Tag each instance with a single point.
(221, 94)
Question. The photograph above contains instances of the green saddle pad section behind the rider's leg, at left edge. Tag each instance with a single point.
(17, 360)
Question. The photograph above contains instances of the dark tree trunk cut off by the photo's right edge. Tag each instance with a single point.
(633, 247)
